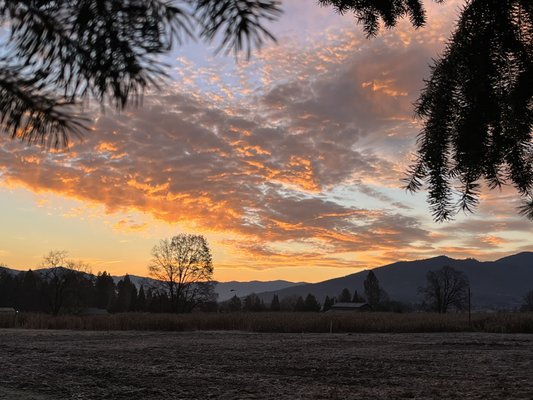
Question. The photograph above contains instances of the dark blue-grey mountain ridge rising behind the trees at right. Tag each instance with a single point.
(495, 284)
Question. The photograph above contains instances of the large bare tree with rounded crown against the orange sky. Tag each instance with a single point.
(183, 263)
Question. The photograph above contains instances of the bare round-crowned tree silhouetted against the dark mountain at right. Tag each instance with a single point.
(446, 288)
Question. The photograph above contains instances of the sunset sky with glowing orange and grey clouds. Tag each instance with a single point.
(290, 163)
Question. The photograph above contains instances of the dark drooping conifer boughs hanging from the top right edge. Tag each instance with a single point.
(476, 107)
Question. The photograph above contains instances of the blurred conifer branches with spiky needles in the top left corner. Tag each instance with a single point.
(59, 54)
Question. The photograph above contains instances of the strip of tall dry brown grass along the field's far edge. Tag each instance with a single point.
(280, 322)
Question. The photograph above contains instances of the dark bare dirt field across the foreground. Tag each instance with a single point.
(45, 365)
